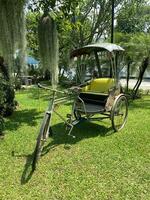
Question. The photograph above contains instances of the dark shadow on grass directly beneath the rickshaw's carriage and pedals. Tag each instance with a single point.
(80, 132)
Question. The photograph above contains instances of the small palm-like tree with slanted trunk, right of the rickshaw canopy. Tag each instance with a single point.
(137, 54)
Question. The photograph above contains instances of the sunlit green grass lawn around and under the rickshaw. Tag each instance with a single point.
(99, 164)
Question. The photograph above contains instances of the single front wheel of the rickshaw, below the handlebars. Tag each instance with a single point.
(44, 131)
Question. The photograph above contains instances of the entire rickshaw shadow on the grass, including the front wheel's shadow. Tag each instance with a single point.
(82, 131)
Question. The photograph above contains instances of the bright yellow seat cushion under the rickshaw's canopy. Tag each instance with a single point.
(99, 85)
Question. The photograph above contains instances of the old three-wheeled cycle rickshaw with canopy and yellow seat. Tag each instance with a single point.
(98, 98)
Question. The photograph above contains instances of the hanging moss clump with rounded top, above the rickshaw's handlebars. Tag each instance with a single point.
(48, 46)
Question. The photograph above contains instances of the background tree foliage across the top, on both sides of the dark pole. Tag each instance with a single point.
(89, 21)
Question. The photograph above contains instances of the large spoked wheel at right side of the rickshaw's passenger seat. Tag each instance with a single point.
(119, 112)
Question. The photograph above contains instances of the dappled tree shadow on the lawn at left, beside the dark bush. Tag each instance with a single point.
(21, 117)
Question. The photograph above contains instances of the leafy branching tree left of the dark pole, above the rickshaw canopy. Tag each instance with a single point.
(78, 22)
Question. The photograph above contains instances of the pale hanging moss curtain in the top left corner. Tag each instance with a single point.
(12, 31)
